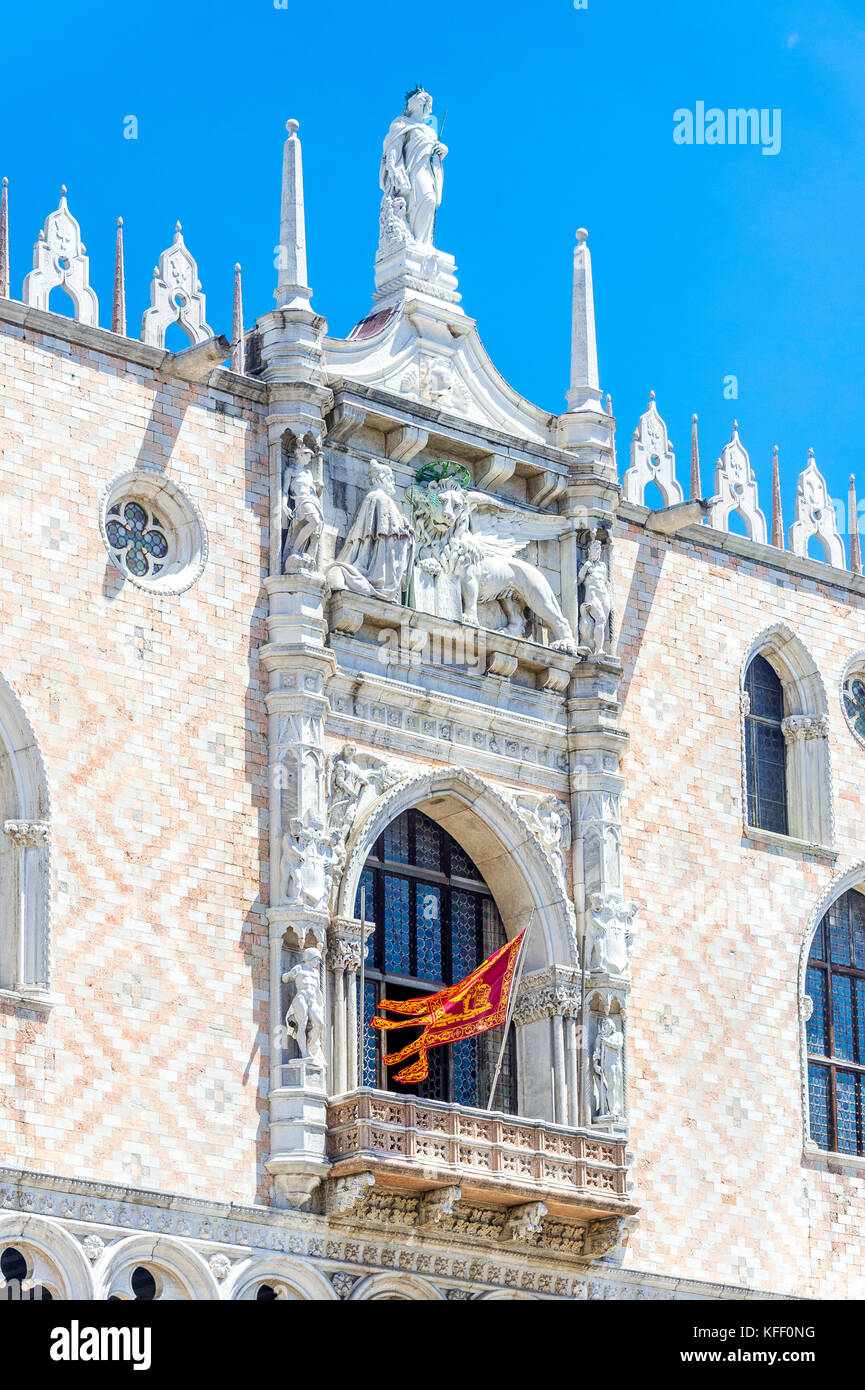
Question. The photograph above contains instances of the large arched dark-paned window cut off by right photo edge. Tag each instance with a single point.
(836, 1029)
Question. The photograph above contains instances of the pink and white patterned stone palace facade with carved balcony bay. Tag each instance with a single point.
(255, 616)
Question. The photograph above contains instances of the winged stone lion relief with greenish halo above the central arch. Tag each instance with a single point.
(472, 540)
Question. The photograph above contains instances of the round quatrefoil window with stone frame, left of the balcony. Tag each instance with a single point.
(152, 532)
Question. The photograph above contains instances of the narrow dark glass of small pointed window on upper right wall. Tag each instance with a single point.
(766, 749)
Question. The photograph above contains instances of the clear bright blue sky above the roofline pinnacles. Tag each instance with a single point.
(709, 261)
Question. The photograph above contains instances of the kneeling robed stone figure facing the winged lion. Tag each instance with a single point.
(378, 554)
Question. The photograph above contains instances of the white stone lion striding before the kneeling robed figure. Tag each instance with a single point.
(451, 541)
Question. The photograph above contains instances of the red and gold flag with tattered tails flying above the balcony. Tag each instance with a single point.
(476, 1004)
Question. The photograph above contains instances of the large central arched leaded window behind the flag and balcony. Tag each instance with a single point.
(436, 921)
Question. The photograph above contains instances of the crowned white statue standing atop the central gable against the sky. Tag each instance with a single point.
(411, 174)
